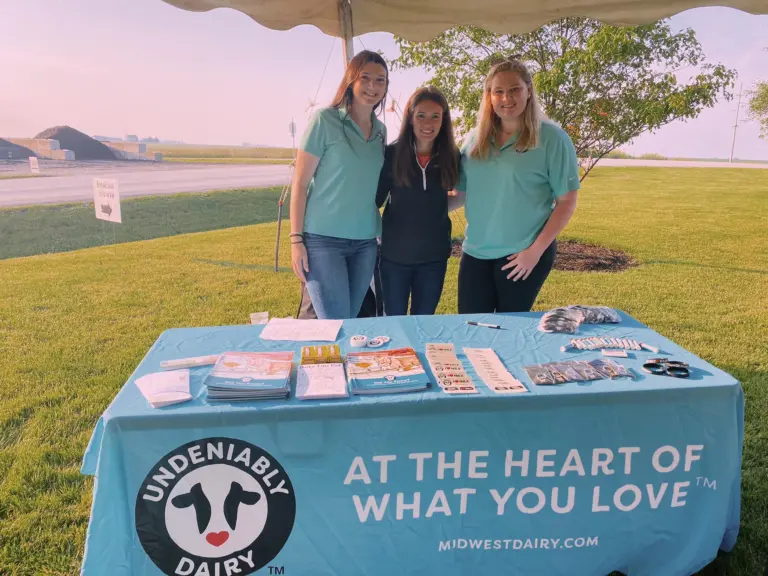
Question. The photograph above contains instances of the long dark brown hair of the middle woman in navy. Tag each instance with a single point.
(443, 146)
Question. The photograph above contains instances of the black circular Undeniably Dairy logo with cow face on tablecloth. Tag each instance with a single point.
(216, 501)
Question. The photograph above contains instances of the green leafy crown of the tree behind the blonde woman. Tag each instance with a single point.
(604, 85)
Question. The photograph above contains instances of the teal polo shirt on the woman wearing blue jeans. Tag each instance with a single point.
(341, 198)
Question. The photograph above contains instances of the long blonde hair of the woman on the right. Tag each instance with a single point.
(489, 123)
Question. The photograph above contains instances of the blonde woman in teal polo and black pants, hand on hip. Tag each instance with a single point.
(520, 177)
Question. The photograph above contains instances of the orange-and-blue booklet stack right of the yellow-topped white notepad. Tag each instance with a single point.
(386, 372)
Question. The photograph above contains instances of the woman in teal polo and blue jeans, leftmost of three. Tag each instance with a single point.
(334, 218)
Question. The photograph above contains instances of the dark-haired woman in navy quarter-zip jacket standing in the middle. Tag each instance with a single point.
(419, 170)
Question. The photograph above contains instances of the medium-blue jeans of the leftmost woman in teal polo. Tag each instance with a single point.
(340, 271)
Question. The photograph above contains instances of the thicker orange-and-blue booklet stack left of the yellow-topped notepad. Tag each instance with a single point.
(239, 376)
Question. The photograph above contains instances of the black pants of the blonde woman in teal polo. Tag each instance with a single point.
(484, 288)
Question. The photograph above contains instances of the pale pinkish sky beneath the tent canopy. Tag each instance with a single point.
(117, 67)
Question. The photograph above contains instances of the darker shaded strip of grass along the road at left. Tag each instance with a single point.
(61, 228)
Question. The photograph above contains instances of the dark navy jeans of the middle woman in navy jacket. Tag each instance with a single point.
(423, 283)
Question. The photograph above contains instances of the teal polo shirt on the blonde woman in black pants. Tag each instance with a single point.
(510, 196)
